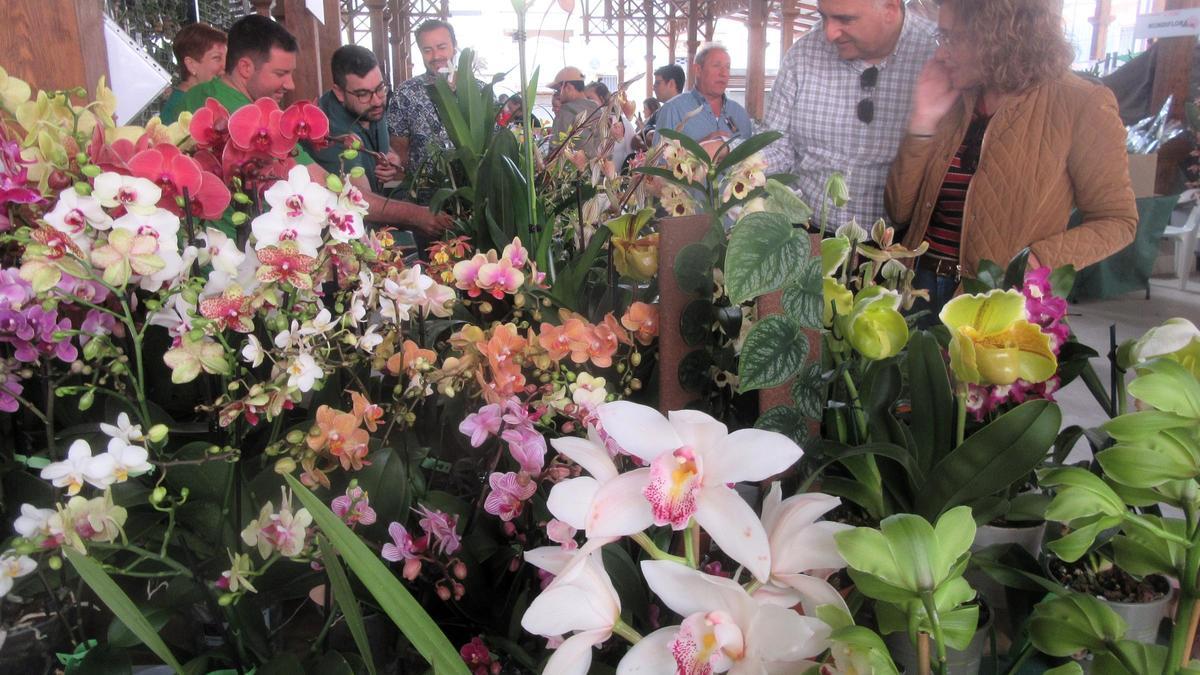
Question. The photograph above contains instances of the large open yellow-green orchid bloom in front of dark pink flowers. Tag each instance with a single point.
(992, 343)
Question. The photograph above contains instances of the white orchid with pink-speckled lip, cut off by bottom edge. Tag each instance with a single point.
(724, 629)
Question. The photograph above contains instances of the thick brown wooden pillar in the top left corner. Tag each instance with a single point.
(79, 57)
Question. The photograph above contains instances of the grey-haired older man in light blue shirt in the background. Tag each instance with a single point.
(706, 114)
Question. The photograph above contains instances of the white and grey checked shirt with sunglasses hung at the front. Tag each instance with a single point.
(814, 105)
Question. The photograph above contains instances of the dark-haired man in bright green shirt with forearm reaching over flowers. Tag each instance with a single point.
(261, 62)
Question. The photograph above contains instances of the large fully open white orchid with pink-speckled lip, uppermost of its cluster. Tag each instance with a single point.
(694, 462)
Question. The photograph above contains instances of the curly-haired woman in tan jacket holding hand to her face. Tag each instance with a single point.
(1004, 140)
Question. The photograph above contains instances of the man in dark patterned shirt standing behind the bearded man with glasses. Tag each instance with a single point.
(413, 120)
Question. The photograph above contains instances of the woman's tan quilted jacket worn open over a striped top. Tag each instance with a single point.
(1052, 147)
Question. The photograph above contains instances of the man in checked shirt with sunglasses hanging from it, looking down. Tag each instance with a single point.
(843, 99)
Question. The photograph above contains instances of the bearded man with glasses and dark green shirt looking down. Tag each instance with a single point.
(356, 106)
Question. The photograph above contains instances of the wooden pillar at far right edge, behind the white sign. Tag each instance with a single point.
(1173, 77)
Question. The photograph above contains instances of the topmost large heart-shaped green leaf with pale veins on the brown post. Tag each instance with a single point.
(764, 254)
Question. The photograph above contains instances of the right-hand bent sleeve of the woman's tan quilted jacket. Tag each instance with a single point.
(1099, 168)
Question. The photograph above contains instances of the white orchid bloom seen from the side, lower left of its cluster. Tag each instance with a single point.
(581, 600)
